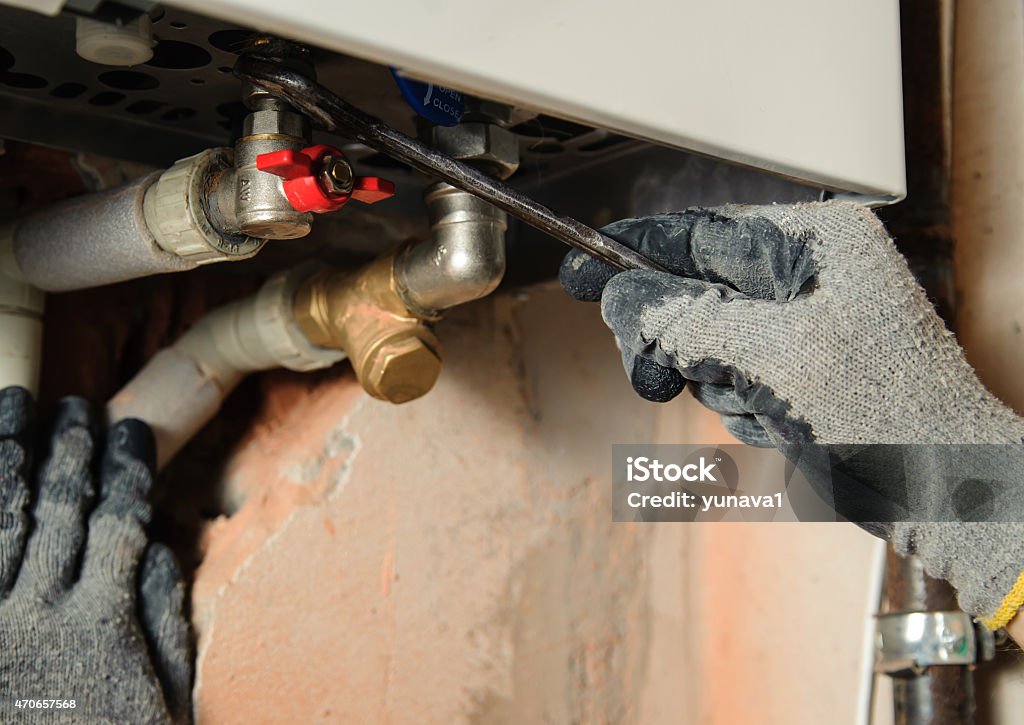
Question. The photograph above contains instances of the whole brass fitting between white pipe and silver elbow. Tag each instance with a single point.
(395, 354)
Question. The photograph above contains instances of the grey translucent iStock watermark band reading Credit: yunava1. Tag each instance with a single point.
(866, 484)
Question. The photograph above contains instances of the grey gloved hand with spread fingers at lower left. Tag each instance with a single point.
(90, 611)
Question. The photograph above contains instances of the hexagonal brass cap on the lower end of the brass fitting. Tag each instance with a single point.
(402, 369)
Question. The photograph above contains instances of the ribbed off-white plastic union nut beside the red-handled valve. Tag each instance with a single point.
(176, 216)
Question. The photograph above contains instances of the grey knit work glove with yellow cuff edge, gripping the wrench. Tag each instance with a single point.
(803, 327)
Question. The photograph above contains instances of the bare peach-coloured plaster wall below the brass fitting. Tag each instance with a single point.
(454, 561)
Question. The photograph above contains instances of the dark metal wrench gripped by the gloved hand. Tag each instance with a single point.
(336, 115)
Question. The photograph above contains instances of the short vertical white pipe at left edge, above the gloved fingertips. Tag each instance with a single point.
(21, 321)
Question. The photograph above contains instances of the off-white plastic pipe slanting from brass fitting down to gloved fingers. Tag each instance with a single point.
(183, 388)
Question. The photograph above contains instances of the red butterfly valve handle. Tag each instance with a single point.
(300, 170)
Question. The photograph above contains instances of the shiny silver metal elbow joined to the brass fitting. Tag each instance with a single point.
(465, 259)
